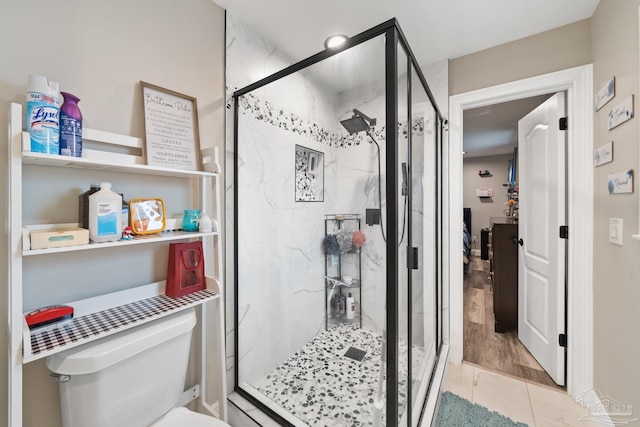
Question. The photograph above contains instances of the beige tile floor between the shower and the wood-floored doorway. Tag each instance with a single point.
(535, 405)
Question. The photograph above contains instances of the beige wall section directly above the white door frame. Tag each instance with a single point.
(554, 50)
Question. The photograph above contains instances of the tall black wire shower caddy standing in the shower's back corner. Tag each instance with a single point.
(337, 267)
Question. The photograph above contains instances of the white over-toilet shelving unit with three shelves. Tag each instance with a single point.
(123, 309)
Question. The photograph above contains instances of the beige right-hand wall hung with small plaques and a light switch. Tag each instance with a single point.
(617, 268)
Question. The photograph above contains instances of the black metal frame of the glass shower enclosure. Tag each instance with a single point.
(394, 41)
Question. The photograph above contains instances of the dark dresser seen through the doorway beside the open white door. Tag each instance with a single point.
(504, 257)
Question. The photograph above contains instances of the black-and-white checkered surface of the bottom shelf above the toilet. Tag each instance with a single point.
(89, 327)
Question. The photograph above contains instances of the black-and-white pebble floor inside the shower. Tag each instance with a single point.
(322, 387)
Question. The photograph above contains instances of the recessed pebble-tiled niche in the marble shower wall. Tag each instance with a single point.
(309, 174)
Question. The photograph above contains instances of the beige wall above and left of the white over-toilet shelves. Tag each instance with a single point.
(100, 51)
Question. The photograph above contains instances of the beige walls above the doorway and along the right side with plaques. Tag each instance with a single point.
(609, 40)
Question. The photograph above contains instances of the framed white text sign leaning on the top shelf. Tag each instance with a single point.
(170, 128)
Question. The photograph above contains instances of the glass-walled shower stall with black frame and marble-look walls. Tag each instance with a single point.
(339, 236)
